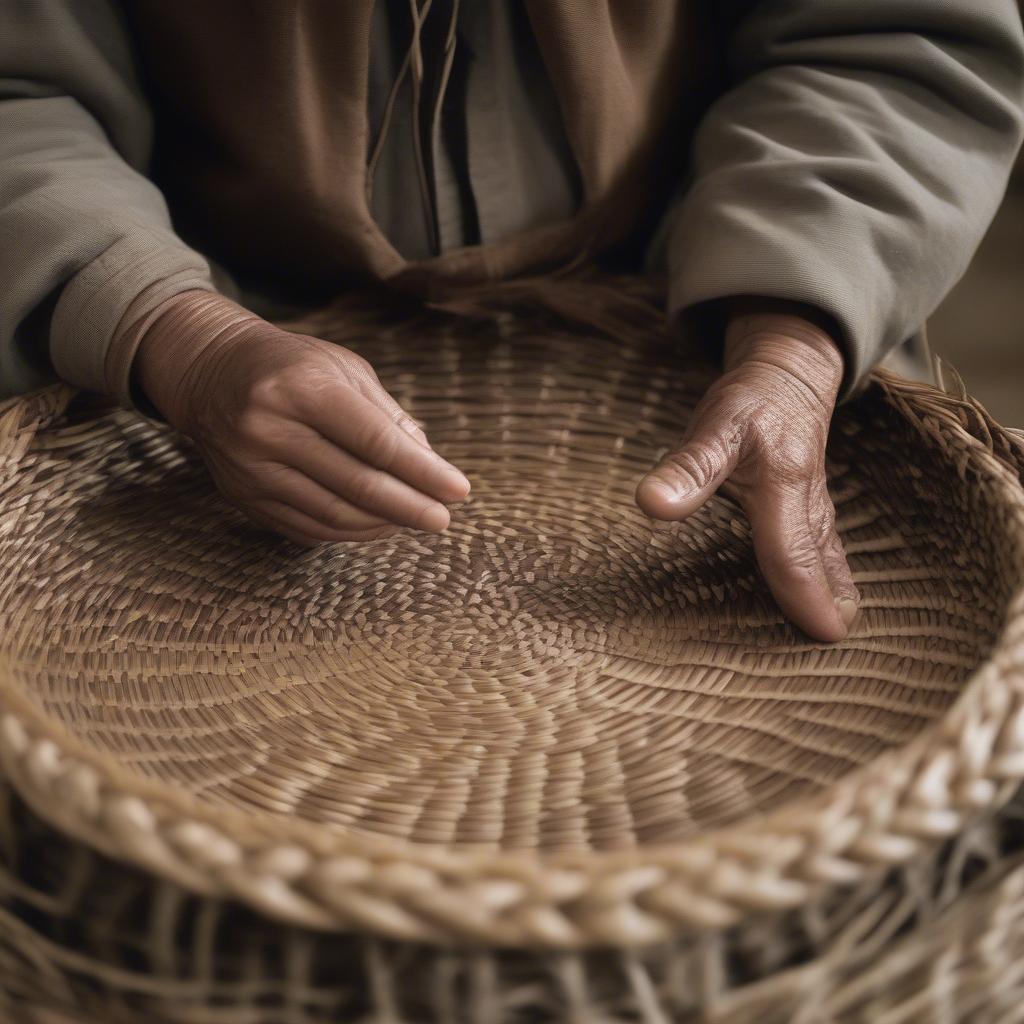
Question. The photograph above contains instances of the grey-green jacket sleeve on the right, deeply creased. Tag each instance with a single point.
(855, 161)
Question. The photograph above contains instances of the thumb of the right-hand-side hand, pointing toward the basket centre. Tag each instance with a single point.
(686, 479)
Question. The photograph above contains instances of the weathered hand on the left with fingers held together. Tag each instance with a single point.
(297, 433)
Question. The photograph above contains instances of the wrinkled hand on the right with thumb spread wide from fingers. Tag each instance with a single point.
(759, 435)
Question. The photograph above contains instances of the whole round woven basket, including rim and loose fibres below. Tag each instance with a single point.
(560, 763)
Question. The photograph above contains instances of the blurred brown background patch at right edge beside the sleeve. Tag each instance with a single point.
(980, 327)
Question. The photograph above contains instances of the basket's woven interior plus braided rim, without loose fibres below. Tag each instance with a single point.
(367, 735)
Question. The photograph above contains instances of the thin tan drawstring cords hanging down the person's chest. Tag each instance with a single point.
(413, 62)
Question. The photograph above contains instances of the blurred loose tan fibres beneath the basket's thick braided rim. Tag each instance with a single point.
(941, 942)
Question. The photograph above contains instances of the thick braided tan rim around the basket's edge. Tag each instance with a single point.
(963, 765)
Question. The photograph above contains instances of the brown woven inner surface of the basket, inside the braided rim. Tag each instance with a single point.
(557, 672)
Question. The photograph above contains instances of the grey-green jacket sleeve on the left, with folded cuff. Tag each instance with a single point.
(83, 233)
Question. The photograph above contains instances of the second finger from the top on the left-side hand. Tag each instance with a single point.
(373, 491)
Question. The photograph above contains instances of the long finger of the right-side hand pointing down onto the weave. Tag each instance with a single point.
(790, 538)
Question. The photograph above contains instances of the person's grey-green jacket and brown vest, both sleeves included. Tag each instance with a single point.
(844, 154)
